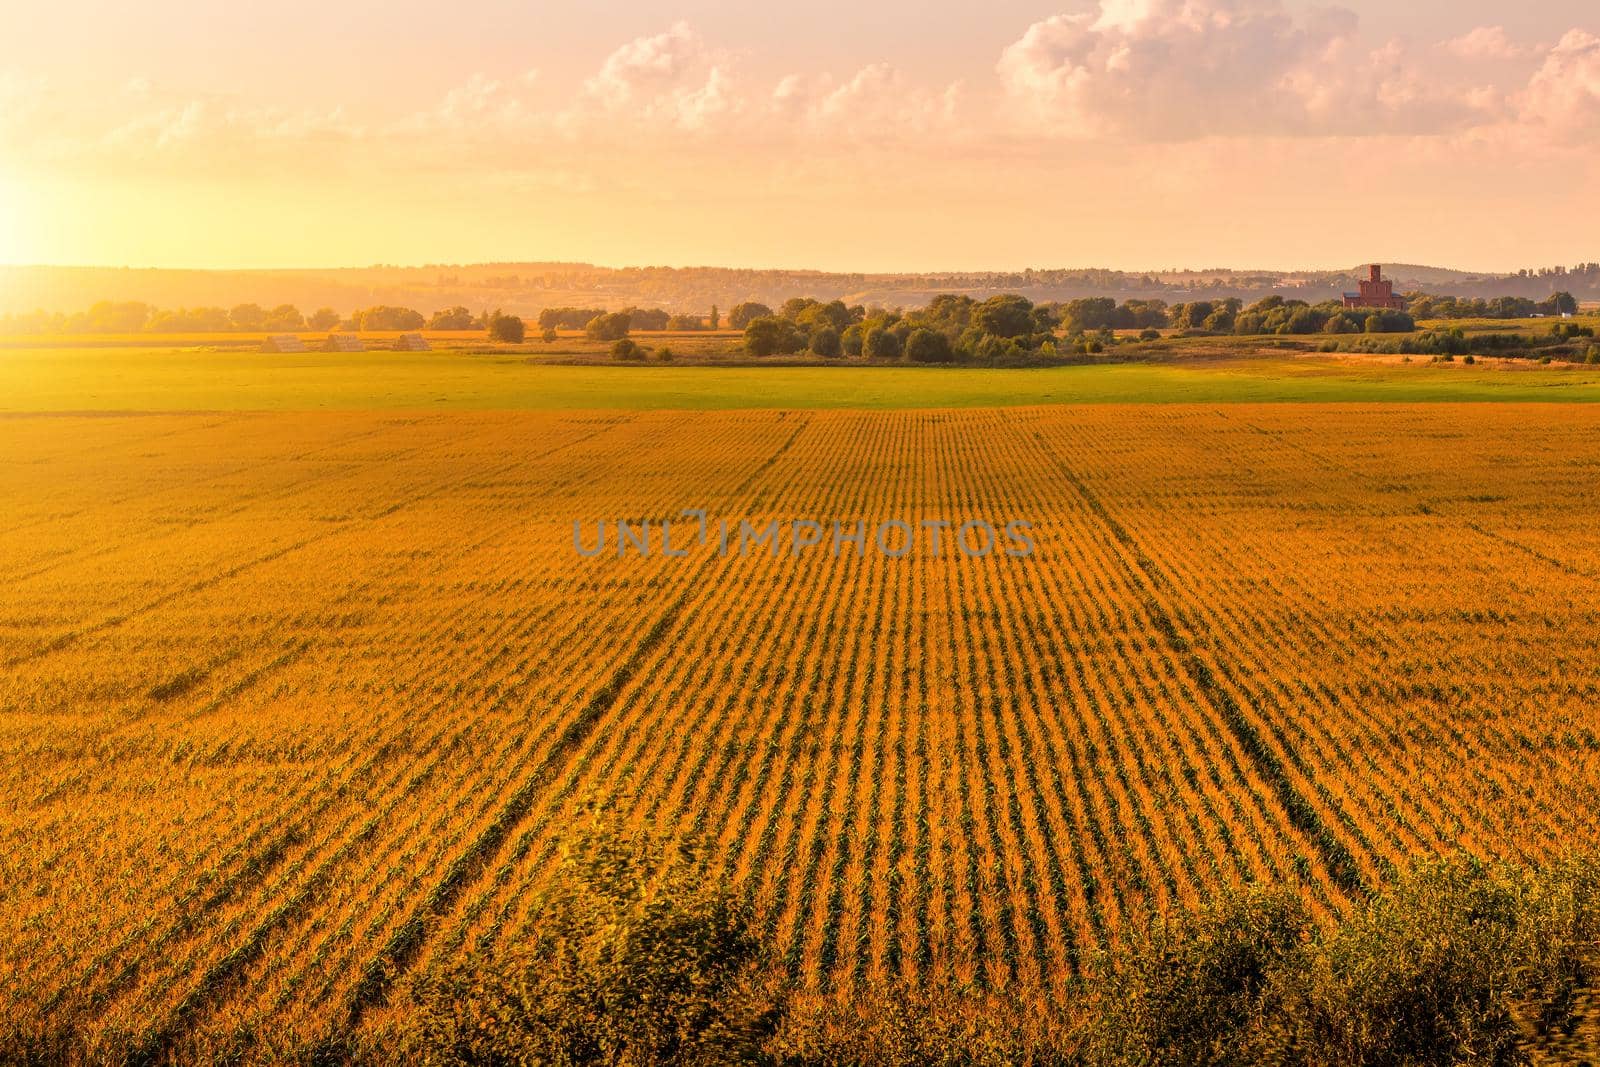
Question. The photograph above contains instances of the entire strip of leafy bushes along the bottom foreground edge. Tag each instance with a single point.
(638, 957)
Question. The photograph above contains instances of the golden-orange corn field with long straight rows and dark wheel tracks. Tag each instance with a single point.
(298, 705)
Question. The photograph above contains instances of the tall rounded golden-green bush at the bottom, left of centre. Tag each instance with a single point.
(639, 957)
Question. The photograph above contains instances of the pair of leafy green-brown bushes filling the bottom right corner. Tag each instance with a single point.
(1458, 962)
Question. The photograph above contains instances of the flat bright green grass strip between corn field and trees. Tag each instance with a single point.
(191, 380)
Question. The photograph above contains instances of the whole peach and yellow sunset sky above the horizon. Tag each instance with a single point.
(842, 137)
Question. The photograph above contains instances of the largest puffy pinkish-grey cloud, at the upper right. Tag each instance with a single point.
(1186, 70)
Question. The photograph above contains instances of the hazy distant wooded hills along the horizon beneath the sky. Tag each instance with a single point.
(529, 287)
